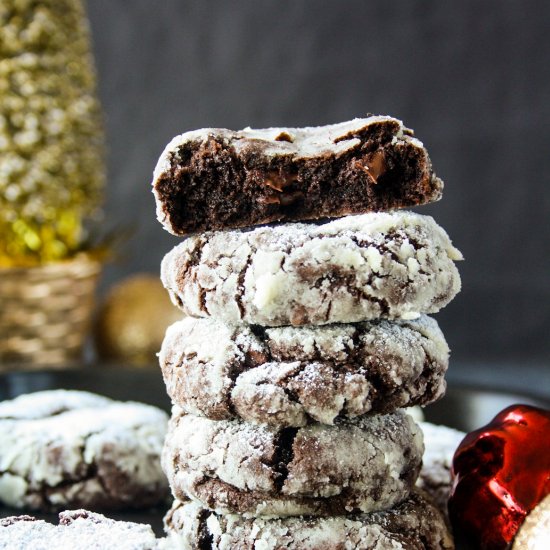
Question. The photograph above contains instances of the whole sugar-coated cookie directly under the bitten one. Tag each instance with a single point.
(354, 269)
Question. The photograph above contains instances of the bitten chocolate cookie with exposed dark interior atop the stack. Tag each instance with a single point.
(218, 179)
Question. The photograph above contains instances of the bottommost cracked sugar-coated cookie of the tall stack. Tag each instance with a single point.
(414, 524)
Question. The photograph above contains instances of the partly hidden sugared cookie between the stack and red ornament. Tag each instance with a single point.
(440, 444)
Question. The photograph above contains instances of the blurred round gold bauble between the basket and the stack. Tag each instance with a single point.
(133, 319)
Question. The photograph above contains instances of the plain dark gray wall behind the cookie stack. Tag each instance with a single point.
(472, 79)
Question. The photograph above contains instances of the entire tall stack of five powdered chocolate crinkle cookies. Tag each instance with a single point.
(304, 339)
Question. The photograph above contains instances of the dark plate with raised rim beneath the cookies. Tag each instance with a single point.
(464, 408)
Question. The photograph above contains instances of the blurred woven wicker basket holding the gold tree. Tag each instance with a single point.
(45, 312)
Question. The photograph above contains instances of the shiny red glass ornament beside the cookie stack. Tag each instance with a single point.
(501, 472)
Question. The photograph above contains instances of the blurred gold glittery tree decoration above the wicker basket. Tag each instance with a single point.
(51, 139)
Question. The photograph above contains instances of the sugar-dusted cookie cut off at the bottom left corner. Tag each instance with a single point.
(77, 530)
